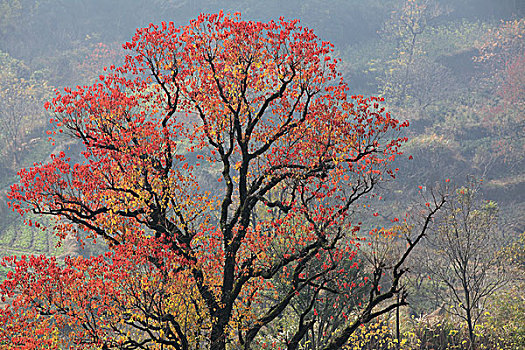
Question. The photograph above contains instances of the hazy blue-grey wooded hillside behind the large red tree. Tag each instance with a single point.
(458, 76)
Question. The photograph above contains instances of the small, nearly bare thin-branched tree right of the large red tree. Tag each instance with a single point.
(466, 256)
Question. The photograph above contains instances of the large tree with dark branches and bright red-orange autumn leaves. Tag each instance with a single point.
(223, 164)
